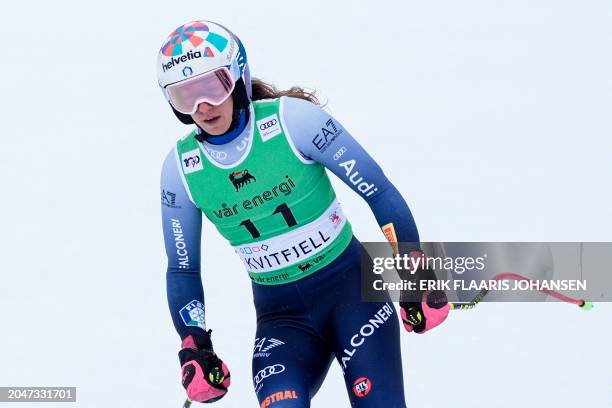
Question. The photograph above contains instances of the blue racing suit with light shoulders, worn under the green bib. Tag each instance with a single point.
(303, 325)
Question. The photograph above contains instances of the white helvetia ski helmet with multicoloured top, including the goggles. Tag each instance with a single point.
(202, 61)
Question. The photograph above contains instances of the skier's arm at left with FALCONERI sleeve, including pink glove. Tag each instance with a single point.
(204, 375)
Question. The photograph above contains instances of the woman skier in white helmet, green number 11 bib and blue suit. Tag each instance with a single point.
(255, 166)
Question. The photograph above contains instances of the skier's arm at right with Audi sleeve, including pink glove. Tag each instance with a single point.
(318, 136)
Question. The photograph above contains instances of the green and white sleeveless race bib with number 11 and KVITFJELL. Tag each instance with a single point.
(277, 209)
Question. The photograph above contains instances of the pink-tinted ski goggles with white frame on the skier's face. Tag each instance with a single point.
(213, 87)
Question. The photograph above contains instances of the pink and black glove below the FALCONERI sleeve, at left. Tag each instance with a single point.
(205, 377)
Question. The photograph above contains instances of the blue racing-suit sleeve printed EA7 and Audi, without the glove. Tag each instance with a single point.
(320, 137)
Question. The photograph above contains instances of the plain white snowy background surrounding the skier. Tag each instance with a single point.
(505, 107)
